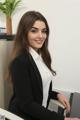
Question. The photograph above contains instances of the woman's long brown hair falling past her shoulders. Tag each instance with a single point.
(21, 40)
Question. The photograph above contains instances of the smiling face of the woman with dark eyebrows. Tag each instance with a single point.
(37, 35)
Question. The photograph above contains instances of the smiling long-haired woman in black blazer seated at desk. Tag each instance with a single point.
(31, 72)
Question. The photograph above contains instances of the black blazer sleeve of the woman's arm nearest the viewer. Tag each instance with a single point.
(22, 88)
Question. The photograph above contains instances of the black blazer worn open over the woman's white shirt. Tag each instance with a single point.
(28, 91)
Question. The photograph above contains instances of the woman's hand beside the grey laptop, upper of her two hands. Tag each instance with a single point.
(62, 99)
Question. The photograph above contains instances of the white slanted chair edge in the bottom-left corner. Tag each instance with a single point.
(9, 115)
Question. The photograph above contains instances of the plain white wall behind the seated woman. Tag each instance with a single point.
(64, 19)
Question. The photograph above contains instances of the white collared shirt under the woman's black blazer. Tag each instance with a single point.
(45, 73)
